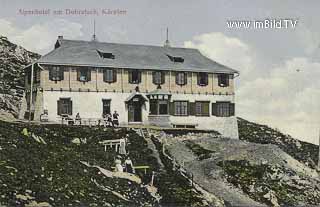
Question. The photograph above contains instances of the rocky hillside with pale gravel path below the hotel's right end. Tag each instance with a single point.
(264, 168)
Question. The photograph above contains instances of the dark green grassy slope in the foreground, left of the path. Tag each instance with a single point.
(66, 166)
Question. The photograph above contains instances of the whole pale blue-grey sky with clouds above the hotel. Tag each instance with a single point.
(279, 66)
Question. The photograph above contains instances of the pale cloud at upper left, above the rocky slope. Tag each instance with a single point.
(40, 37)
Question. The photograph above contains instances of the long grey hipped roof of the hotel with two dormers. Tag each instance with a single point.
(88, 53)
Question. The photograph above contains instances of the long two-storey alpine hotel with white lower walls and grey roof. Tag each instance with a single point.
(148, 85)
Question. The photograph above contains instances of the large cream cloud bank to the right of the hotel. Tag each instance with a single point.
(287, 97)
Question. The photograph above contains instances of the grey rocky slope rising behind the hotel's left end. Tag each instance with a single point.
(13, 59)
